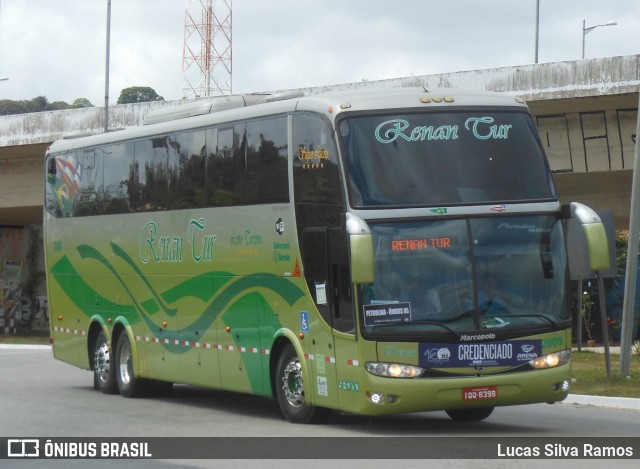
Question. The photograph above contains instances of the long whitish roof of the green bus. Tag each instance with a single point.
(219, 110)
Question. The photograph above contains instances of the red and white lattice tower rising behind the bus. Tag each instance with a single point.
(206, 57)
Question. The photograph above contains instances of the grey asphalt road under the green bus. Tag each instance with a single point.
(43, 398)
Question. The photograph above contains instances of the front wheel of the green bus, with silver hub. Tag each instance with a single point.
(290, 391)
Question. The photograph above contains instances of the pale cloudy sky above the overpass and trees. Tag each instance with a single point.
(57, 48)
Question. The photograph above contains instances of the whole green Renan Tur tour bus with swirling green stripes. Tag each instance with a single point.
(372, 252)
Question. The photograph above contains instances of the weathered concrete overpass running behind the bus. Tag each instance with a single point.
(585, 111)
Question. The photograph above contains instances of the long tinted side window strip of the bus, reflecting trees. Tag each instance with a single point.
(242, 163)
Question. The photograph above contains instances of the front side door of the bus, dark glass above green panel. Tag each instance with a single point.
(326, 267)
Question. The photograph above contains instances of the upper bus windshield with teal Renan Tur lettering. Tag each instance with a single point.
(443, 158)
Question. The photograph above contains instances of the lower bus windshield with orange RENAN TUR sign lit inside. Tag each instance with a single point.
(463, 276)
